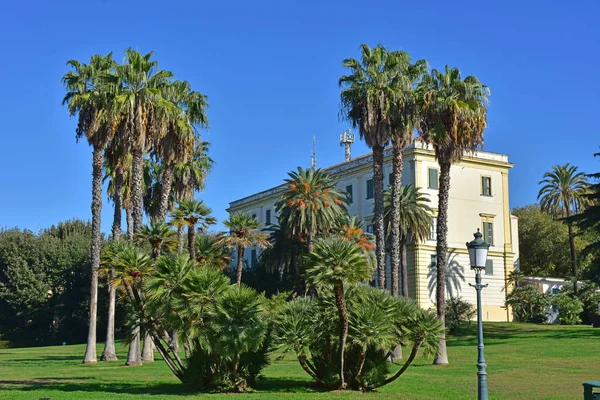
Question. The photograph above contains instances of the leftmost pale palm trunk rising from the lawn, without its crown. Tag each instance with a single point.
(90, 351)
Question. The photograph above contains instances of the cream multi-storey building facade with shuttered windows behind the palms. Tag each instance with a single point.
(478, 200)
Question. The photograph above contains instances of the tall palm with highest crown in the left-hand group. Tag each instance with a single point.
(139, 105)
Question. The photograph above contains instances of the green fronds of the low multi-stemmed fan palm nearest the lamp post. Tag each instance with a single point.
(377, 322)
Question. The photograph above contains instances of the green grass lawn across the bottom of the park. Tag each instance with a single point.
(525, 361)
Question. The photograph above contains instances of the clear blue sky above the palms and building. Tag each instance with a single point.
(270, 70)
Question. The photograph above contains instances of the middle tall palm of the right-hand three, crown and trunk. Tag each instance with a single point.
(405, 118)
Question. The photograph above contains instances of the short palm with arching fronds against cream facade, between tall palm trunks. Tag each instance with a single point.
(414, 222)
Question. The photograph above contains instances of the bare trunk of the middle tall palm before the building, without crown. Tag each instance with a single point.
(397, 162)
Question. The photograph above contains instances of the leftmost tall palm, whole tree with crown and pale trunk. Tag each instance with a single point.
(87, 97)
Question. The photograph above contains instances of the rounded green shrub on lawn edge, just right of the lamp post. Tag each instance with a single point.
(527, 304)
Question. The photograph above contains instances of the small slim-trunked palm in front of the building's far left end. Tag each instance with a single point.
(243, 232)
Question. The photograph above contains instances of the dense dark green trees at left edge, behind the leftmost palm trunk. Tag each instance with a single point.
(44, 284)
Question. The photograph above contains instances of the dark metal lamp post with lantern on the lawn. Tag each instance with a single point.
(478, 250)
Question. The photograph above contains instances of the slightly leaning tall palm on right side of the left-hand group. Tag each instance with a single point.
(178, 144)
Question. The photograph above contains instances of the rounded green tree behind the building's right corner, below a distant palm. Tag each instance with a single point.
(544, 244)
